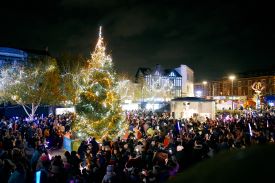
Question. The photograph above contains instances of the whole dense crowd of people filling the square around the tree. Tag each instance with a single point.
(154, 148)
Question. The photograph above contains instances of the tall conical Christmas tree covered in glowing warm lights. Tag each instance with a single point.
(98, 108)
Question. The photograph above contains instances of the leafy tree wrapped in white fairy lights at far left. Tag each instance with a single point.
(28, 85)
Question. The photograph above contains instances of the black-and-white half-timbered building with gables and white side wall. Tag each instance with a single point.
(178, 81)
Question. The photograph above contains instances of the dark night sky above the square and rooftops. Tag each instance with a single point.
(214, 38)
